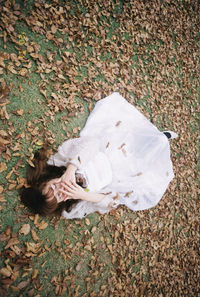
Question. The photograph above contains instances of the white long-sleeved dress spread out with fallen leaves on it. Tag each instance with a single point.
(121, 154)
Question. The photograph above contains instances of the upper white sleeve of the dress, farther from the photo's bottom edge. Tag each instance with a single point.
(77, 151)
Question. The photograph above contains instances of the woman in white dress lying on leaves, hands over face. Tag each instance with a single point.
(119, 158)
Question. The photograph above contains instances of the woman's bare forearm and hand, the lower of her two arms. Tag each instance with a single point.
(74, 191)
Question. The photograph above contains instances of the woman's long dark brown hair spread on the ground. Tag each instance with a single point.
(37, 177)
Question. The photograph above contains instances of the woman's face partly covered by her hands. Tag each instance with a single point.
(51, 190)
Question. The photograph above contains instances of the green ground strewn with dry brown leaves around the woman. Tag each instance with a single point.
(57, 58)
